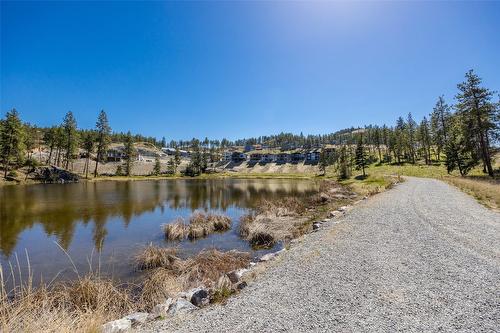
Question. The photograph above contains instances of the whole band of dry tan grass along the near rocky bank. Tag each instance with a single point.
(87, 302)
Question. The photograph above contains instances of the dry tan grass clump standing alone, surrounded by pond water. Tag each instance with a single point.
(200, 225)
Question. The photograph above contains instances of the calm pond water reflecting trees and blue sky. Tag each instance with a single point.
(109, 221)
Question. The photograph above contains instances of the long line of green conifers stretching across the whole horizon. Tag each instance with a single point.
(466, 134)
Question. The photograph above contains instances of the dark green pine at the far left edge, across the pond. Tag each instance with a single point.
(11, 141)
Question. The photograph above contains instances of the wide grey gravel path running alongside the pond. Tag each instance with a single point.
(423, 257)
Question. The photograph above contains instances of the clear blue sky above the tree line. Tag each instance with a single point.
(183, 70)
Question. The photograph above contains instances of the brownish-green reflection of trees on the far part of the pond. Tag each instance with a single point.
(58, 208)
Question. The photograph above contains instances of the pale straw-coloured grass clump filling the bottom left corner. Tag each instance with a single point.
(81, 305)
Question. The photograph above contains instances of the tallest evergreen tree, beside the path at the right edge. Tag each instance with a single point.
(475, 106)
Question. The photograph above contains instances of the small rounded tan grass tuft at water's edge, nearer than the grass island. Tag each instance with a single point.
(152, 256)
